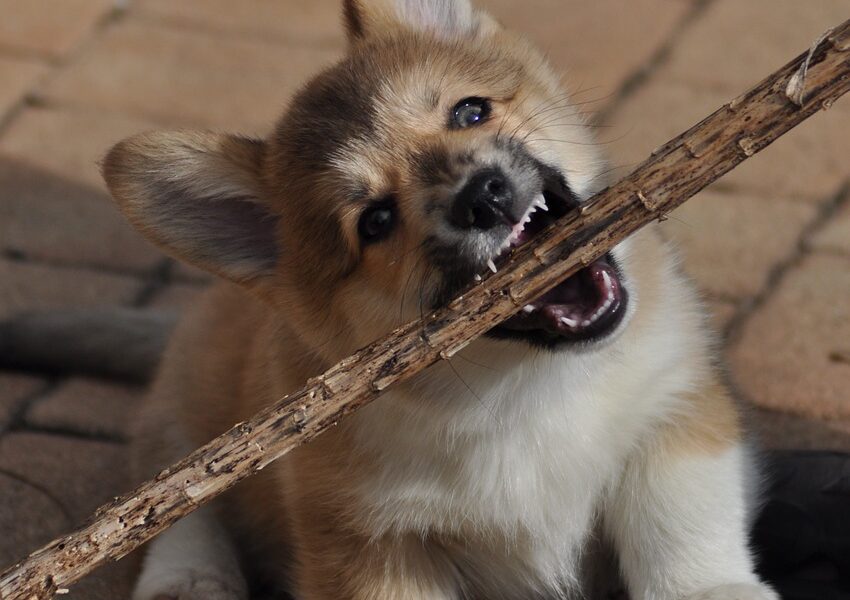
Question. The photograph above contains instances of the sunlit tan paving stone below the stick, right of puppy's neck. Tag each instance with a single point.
(730, 243)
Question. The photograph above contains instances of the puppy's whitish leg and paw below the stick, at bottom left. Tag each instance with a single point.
(193, 560)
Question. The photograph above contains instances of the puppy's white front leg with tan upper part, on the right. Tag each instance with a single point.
(679, 518)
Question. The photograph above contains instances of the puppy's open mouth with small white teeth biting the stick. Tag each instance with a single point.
(587, 306)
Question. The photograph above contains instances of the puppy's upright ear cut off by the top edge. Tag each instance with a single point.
(444, 18)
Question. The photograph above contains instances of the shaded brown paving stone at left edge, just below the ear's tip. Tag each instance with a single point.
(46, 217)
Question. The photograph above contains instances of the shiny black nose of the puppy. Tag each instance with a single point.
(485, 201)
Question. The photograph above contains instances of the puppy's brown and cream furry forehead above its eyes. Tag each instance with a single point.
(364, 99)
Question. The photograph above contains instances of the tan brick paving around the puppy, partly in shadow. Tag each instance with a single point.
(769, 245)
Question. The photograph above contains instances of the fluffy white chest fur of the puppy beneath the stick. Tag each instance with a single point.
(514, 444)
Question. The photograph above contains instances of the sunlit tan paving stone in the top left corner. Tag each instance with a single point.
(49, 27)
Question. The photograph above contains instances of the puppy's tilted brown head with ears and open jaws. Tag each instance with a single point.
(395, 179)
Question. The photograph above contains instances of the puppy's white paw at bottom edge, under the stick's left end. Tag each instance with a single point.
(189, 585)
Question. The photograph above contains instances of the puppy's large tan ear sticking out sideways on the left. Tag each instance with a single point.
(198, 197)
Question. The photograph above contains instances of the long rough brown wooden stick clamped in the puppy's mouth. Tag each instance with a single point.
(673, 173)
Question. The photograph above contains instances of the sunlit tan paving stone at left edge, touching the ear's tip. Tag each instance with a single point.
(68, 142)
